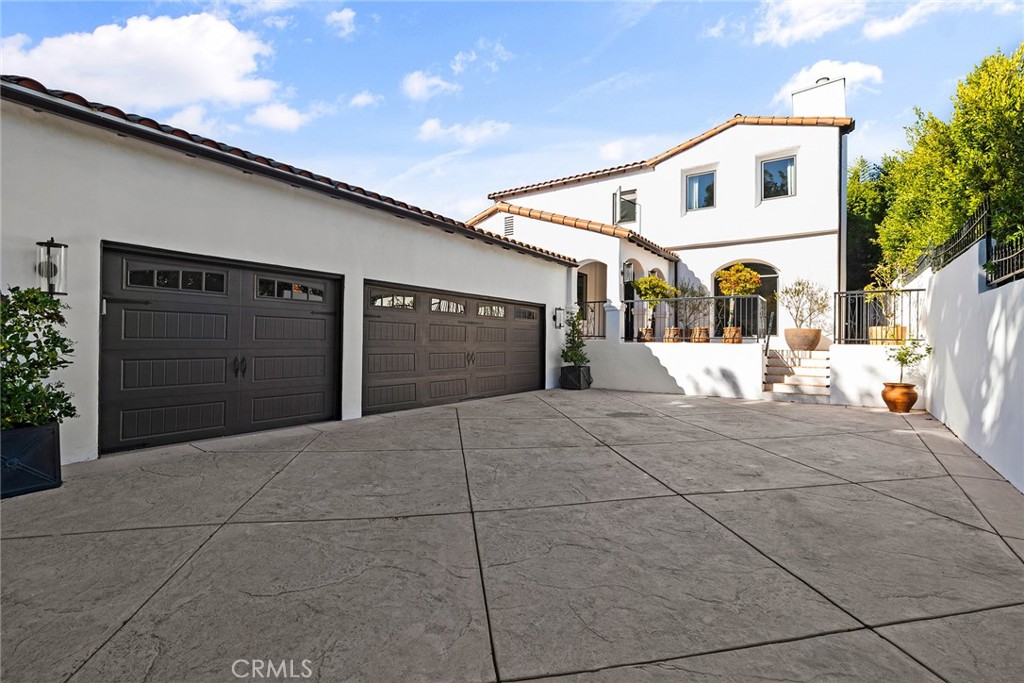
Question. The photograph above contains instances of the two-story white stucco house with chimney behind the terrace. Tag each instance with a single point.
(767, 192)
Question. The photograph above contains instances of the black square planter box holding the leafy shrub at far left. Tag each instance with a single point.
(31, 459)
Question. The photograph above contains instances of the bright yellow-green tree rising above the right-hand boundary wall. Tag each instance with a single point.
(953, 166)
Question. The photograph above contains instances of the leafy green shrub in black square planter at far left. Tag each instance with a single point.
(32, 408)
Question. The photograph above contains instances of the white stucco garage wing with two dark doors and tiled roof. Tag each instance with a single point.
(215, 291)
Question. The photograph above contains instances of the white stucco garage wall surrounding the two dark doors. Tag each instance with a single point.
(82, 185)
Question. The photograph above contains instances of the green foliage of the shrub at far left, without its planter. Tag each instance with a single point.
(33, 348)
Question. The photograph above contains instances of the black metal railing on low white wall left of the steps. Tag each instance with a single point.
(697, 319)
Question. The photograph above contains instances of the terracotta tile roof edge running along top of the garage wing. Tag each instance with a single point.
(314, 182)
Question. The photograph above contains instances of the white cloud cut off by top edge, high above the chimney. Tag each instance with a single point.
(794, 21)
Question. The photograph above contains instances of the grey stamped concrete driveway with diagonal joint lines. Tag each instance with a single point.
(585, 537)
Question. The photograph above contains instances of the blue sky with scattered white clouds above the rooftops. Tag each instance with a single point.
(440, 104)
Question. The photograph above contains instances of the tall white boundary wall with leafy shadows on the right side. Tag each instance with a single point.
(977, 378)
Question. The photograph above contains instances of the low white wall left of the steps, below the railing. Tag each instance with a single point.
(735, 371)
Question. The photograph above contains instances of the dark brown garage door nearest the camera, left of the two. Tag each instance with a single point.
(195, 349)
